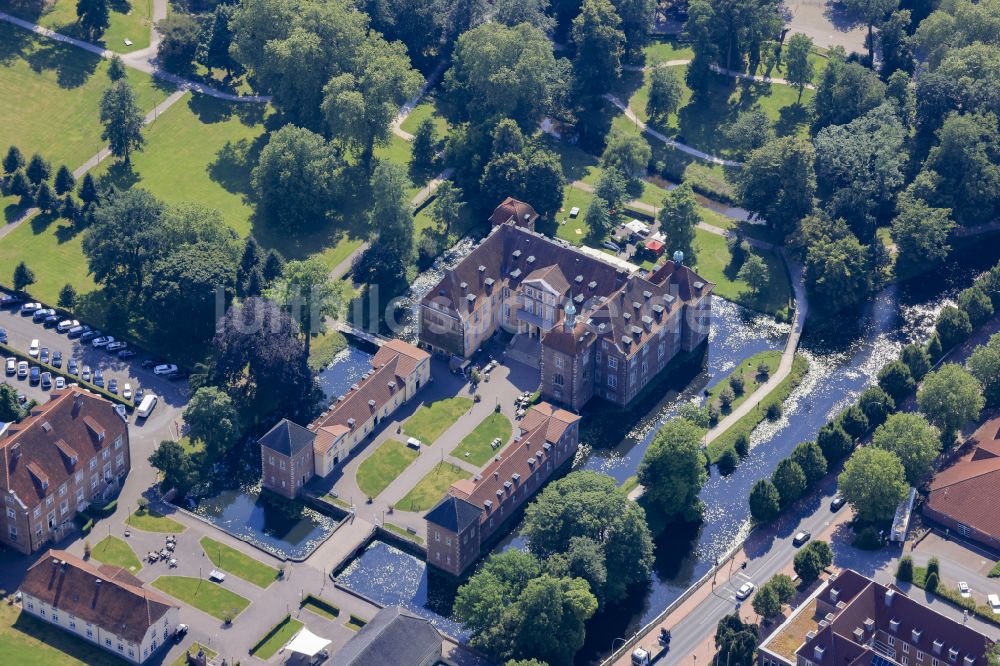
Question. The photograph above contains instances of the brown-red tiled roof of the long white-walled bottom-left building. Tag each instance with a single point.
(107, 597)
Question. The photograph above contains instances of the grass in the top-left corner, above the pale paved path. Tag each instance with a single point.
(129, 20)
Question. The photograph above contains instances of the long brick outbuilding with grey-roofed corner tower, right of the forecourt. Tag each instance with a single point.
(475, 509)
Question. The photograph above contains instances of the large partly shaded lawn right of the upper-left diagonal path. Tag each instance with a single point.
(202, 150)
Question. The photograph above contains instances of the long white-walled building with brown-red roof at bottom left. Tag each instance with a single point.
(106, 605)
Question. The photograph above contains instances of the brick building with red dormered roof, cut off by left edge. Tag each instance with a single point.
(68, 453)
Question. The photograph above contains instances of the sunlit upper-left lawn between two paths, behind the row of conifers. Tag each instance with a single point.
(51, 96)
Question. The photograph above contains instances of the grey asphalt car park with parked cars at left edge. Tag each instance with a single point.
(22, 330)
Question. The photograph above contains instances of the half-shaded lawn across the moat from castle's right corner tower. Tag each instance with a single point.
(715, 263)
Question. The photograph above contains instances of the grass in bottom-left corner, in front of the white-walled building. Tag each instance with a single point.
(27, 640)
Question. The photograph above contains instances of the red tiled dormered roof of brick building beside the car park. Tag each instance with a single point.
(36, 448)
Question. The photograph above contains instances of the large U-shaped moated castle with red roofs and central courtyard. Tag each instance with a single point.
(602, 330)
